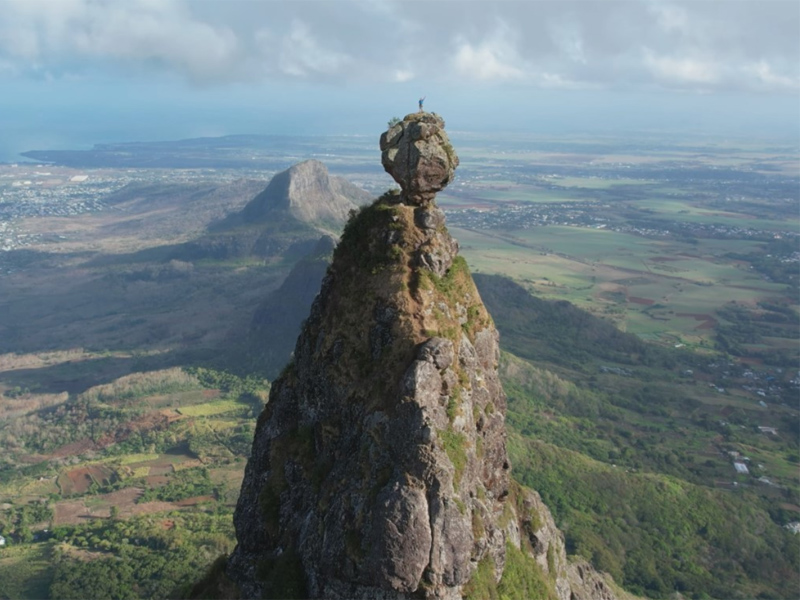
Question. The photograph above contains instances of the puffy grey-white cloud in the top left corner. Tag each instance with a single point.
(42, 34)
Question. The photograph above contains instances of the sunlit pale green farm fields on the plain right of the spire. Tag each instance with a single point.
(661, 289)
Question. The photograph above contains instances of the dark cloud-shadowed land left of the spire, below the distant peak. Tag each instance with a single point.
(151, 307)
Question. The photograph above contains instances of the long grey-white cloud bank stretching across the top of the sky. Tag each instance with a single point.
(747, 45)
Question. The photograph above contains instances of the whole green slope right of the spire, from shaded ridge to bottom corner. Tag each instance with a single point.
(650, 520)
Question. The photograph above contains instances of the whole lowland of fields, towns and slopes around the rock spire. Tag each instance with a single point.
(127, 415)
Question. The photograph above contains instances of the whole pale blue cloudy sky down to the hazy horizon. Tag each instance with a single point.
(78, 72)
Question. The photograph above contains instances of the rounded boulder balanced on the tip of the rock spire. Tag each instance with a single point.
(417, 153)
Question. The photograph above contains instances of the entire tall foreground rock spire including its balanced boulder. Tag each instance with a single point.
(379, 466)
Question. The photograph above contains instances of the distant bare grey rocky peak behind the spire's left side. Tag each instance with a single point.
(310, 194)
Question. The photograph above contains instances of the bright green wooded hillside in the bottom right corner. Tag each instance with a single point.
(656, 534)
